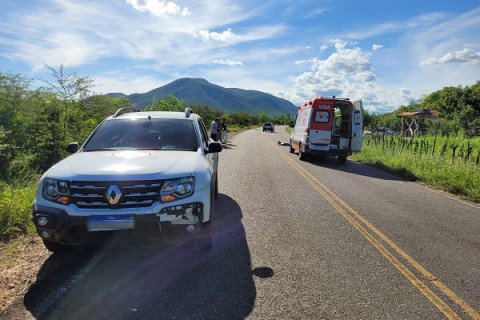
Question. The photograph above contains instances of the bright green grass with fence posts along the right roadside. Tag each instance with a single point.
(448, 164)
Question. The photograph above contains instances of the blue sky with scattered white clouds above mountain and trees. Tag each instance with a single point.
(386, 52)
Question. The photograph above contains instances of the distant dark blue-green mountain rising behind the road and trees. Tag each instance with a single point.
(194, 91)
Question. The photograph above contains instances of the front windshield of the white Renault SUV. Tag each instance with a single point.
(146, 134)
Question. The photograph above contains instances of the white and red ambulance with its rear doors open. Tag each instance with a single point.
(327, 126)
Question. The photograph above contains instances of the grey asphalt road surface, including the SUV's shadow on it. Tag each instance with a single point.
(293, 240)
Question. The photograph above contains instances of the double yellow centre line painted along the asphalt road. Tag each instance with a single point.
(337, 203)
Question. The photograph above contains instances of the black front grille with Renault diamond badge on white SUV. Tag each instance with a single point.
(104, 194)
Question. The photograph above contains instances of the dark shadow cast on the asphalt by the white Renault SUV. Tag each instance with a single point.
(166, 281)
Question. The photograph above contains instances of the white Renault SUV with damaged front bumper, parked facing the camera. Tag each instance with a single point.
(136, 169)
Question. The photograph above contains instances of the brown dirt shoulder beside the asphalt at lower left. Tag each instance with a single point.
(20, 260)
